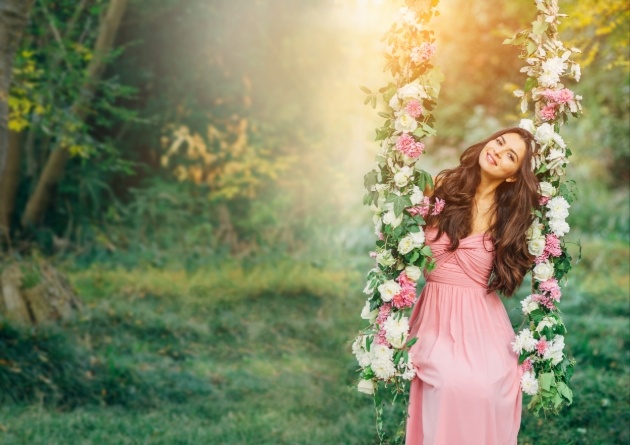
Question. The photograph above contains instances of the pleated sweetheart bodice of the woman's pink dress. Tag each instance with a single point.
(468, 266)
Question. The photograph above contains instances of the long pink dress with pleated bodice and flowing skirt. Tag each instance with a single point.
(467, 387)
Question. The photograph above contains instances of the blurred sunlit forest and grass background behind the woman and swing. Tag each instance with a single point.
(194, 171)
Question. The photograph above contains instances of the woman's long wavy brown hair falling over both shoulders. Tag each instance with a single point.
(513, 203)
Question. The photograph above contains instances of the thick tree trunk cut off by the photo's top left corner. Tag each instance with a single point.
(13, 20)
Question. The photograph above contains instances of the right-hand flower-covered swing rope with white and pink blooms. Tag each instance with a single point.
(540, 344)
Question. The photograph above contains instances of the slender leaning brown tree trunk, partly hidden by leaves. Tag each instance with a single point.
(38, 202)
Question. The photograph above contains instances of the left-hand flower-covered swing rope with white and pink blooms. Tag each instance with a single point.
(395, 194)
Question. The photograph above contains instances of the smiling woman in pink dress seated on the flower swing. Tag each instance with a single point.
(467, 385)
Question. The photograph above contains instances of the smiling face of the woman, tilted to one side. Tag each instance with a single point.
(502, 157)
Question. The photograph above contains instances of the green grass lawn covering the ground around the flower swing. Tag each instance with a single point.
(259, 353)
